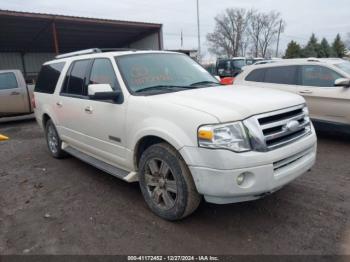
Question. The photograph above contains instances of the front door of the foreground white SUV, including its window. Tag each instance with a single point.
(104, 121)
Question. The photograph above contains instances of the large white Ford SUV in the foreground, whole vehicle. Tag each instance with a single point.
(161, 119)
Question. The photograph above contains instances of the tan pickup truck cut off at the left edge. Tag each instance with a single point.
(15, 95)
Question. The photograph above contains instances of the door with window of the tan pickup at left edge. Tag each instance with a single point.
(13, 98)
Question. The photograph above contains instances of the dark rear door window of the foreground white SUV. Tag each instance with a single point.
(75, 79)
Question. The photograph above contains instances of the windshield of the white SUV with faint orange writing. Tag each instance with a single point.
(163, 72)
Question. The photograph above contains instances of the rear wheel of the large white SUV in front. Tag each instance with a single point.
(54, 143)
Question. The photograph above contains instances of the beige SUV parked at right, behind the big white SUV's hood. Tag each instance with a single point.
(324, 83)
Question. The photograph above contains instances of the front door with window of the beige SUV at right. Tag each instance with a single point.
(325, 101)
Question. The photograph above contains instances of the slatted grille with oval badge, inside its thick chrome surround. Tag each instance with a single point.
(276, 130)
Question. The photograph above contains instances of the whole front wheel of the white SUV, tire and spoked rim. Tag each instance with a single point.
(166, 183)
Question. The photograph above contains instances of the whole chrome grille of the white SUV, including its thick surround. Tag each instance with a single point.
(273, 130)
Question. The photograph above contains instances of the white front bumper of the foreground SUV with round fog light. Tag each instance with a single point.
(215, 172)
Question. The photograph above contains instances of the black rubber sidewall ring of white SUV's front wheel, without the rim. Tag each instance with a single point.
(160, 152)
